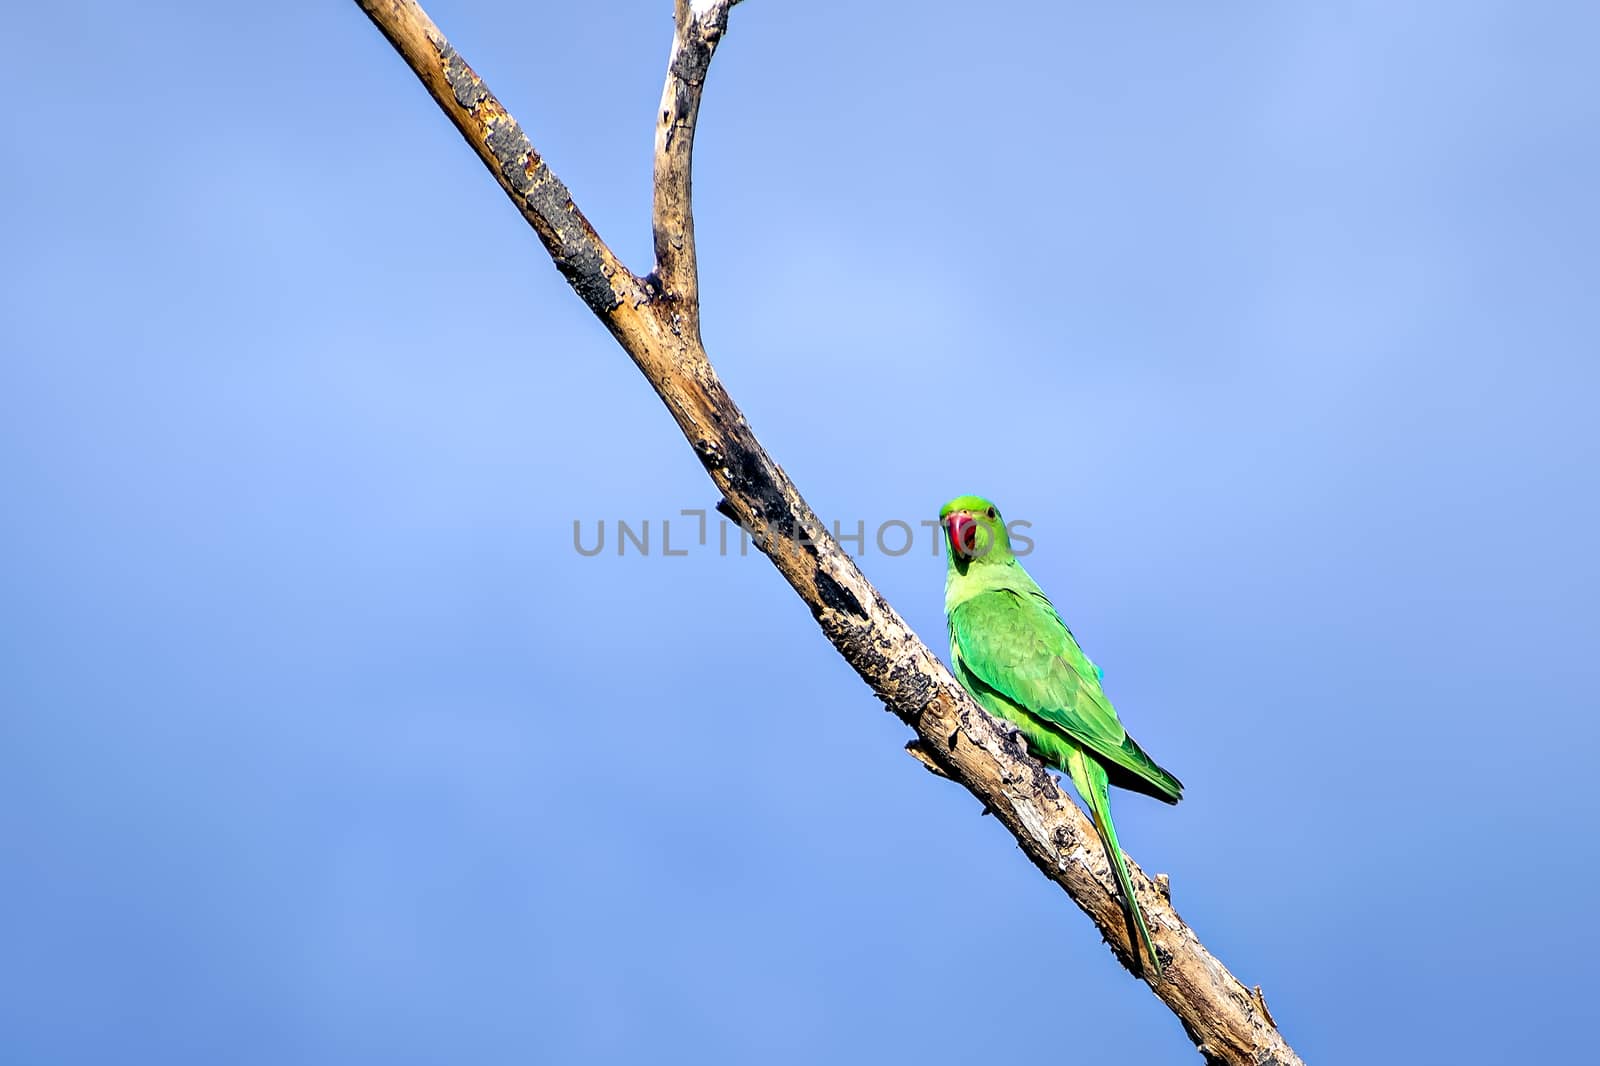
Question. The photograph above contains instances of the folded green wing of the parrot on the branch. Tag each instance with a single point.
(1017, 647)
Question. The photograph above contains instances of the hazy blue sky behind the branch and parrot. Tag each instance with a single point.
(321, 743)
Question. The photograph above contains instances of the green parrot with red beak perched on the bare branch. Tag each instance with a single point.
(1018, 660)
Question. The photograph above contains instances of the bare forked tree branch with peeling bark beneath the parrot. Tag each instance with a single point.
(658, 327)
